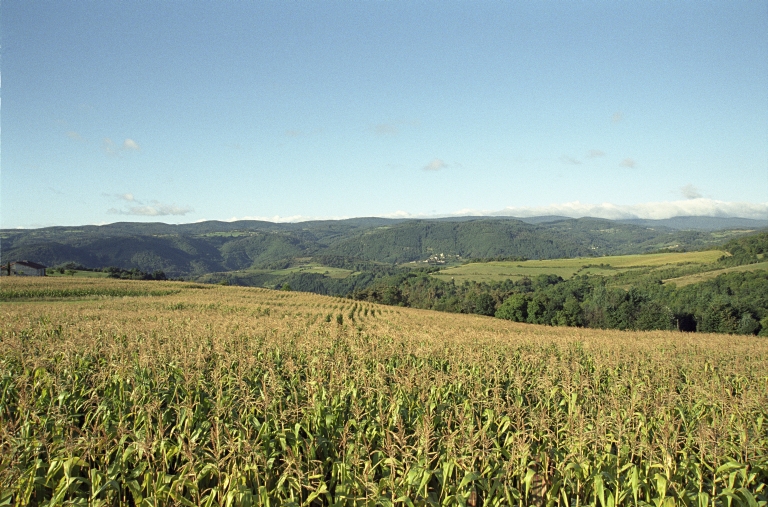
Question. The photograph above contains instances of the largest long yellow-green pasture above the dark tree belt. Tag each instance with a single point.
(567, 268)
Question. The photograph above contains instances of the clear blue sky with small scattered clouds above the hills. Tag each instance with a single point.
(185, 111)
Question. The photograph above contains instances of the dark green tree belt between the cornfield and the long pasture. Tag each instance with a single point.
(731, 302)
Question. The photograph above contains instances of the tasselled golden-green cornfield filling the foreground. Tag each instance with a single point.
(164, 393)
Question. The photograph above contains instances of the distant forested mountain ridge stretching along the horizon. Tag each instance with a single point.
(192, 250)
